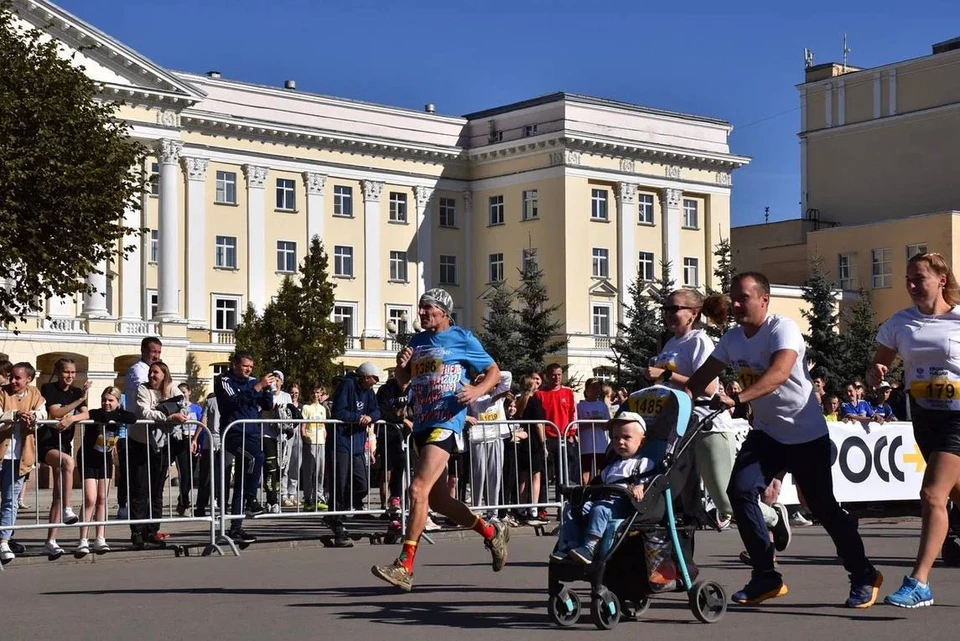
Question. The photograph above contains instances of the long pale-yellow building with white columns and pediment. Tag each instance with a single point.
(404, 200)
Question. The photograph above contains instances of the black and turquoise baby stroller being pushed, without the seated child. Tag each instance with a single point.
(669, 511)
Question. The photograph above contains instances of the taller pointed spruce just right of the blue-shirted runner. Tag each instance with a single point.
(539, 329)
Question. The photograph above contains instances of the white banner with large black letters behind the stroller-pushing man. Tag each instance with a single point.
(882, 463)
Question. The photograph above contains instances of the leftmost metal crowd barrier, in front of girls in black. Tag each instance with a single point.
(95, 460)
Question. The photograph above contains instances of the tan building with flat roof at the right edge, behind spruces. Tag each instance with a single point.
(877, 181)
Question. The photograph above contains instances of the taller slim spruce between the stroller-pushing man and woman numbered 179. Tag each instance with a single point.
(825, 348)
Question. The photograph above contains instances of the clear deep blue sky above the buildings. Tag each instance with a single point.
(737, 60)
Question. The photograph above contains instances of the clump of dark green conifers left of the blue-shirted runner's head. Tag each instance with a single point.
(295, 333)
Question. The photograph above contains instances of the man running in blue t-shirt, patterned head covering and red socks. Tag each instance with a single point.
(438, 363)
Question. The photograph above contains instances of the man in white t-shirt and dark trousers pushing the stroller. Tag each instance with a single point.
(789, 433)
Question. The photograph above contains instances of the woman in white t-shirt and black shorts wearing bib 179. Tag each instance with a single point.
(927, 337)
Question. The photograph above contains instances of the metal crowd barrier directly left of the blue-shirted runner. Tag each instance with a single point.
(348, 471)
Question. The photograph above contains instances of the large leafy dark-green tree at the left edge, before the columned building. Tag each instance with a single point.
(67, 173)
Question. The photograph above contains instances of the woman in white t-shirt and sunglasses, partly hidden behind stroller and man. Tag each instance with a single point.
(683, 354)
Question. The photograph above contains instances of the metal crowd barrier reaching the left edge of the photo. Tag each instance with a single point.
(142, 478)
